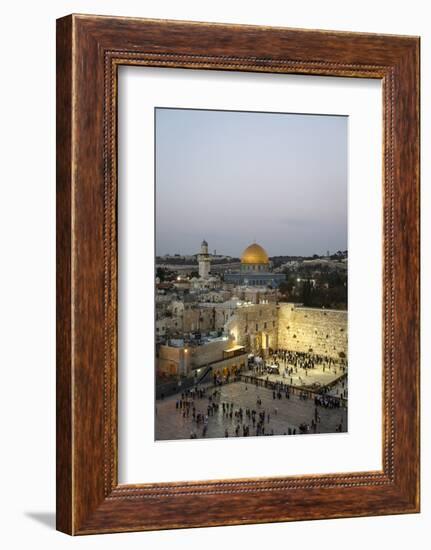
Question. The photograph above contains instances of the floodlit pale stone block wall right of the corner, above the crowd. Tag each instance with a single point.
(323, 331)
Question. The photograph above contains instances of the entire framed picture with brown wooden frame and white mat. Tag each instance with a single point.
(237, 274)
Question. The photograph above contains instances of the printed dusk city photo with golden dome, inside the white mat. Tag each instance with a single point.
(250, 343)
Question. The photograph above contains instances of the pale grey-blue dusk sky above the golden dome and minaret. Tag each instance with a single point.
(233, 178)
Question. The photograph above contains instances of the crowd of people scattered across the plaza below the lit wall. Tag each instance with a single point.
(199, 404)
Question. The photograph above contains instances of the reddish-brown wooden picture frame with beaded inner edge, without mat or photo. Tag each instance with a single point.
(89, 51)
